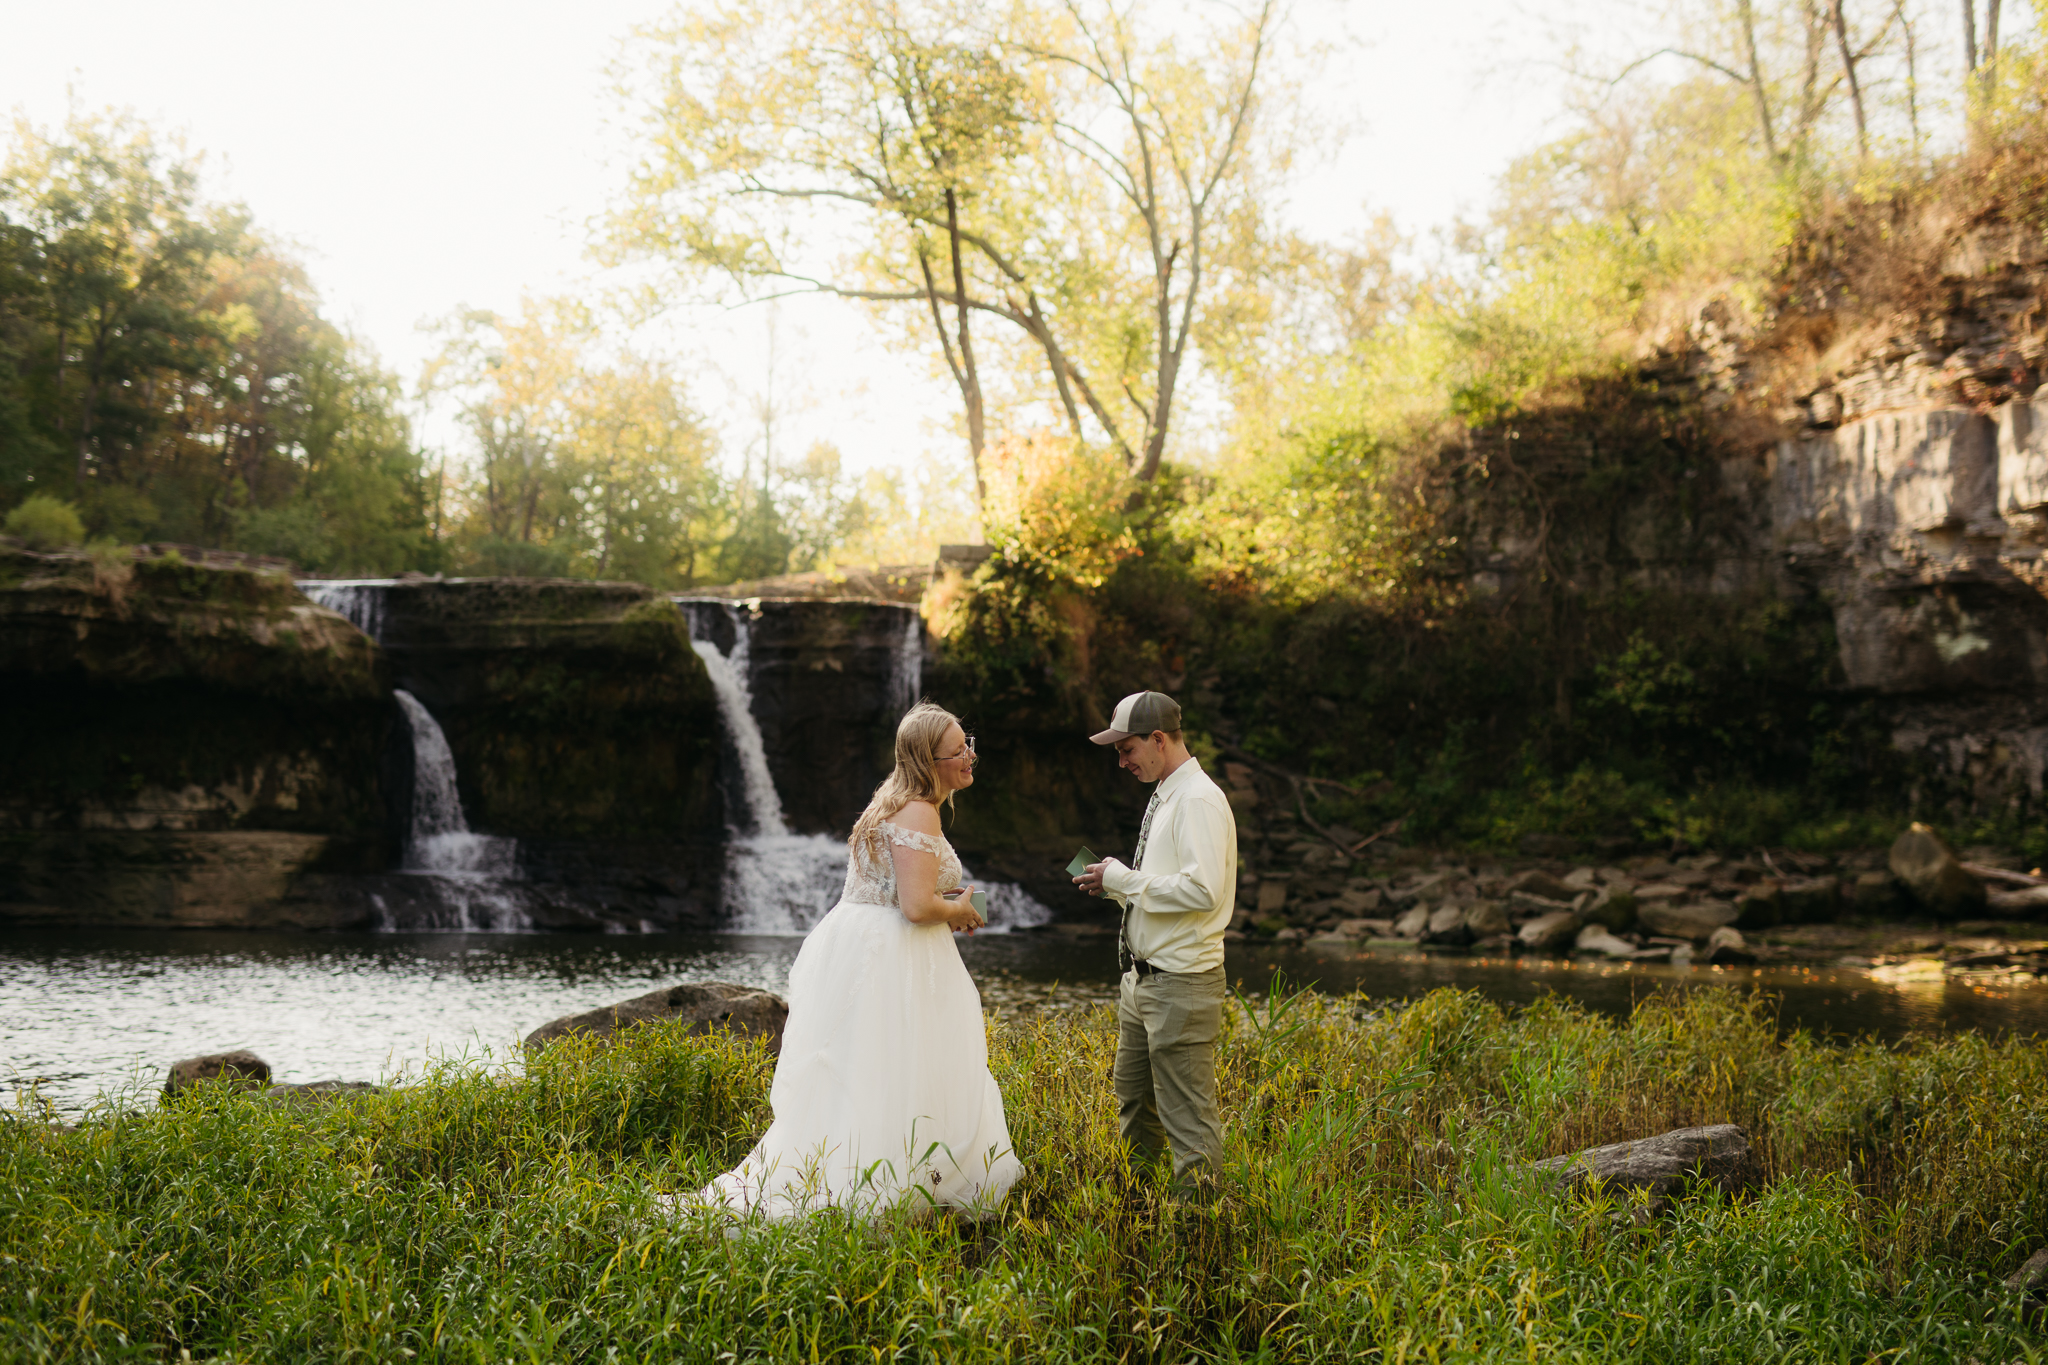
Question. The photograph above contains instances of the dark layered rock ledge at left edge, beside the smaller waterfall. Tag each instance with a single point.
(185, 742)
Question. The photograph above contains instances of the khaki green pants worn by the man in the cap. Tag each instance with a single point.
(1166, 1067)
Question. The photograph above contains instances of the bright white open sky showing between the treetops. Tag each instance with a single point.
(445, 155)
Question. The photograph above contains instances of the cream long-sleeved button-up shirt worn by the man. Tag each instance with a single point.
(1187, 887)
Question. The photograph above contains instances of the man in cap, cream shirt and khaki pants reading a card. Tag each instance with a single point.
(1177, 901)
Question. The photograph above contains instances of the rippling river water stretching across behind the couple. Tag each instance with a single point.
(87, 1014)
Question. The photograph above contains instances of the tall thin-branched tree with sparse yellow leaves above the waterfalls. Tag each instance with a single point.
(1064, 171)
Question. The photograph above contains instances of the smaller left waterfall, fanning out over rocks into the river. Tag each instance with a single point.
(474, 875)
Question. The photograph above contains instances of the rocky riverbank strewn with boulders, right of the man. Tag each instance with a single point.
(1914, 910)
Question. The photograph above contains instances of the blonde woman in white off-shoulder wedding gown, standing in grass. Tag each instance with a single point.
(884, 1092)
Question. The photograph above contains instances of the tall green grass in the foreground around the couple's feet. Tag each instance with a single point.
(1375, 1208)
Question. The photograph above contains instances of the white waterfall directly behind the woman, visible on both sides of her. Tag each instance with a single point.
(779, 881)
